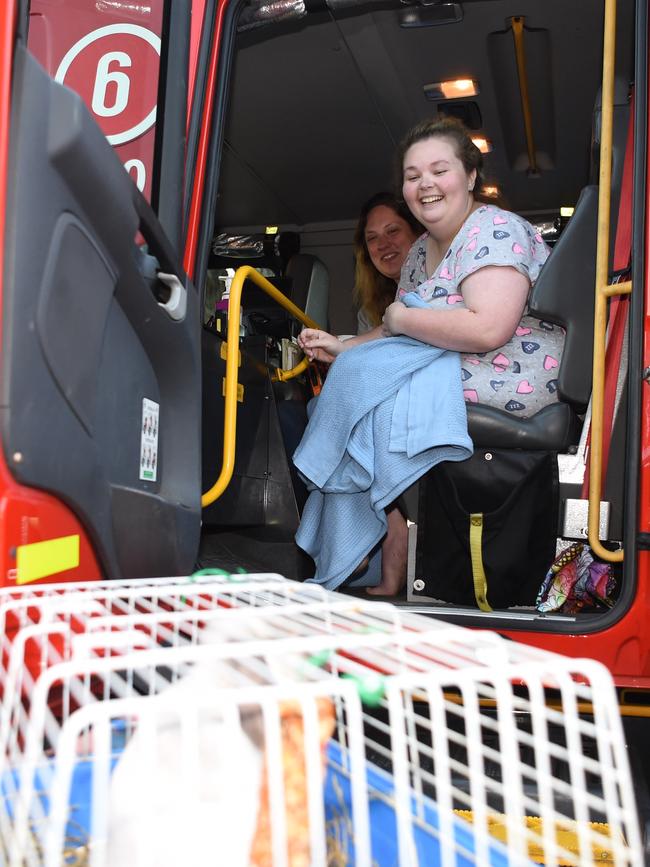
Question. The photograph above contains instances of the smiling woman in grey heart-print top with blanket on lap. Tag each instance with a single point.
(465, 283)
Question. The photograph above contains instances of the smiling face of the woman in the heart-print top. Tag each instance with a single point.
(436, 186)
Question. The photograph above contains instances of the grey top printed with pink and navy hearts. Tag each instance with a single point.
(520, 377)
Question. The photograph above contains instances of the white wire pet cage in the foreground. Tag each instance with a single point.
(249, 720)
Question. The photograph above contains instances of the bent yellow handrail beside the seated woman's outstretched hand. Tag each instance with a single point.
(246, 272)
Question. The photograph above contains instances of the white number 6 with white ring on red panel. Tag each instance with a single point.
(110, 70)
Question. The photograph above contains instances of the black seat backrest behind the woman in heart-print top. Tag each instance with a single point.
(564, 294)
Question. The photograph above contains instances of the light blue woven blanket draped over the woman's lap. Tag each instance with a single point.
(390, 410)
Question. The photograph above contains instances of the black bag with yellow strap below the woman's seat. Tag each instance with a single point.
(487, 528)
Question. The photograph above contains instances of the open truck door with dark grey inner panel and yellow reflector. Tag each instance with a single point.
(100, 469)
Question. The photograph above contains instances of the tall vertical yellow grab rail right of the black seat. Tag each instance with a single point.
(603, 290)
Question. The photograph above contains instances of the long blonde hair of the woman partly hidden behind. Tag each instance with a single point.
(373, 291)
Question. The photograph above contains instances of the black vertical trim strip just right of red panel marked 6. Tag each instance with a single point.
(169, 149)
